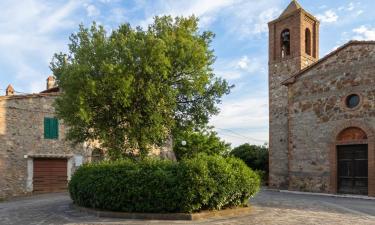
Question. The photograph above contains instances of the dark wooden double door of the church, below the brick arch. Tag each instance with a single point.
(352, 162)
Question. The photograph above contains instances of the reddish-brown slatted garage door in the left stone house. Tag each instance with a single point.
(50, 175)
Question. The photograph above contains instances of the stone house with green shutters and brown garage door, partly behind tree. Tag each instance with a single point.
(34, 155)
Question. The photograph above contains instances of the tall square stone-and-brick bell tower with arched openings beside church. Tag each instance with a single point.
(293, 45)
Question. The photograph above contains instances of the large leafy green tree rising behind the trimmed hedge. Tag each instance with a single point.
(130, 89)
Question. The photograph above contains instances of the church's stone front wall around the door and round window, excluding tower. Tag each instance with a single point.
(317, 110)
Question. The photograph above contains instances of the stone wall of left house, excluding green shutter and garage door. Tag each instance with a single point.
(22, 133)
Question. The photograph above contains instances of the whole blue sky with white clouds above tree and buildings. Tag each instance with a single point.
(31, 31)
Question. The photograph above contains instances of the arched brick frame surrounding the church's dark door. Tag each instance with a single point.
(370, 141)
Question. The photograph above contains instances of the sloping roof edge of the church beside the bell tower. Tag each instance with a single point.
(294, 77)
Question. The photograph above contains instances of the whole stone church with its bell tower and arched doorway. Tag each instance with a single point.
(322, 110)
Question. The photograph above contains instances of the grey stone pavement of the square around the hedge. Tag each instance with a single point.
(269, 207)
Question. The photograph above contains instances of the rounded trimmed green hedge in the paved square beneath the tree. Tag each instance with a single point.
(151, 185)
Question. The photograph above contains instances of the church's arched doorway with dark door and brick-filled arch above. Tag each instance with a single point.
(352, 161)
